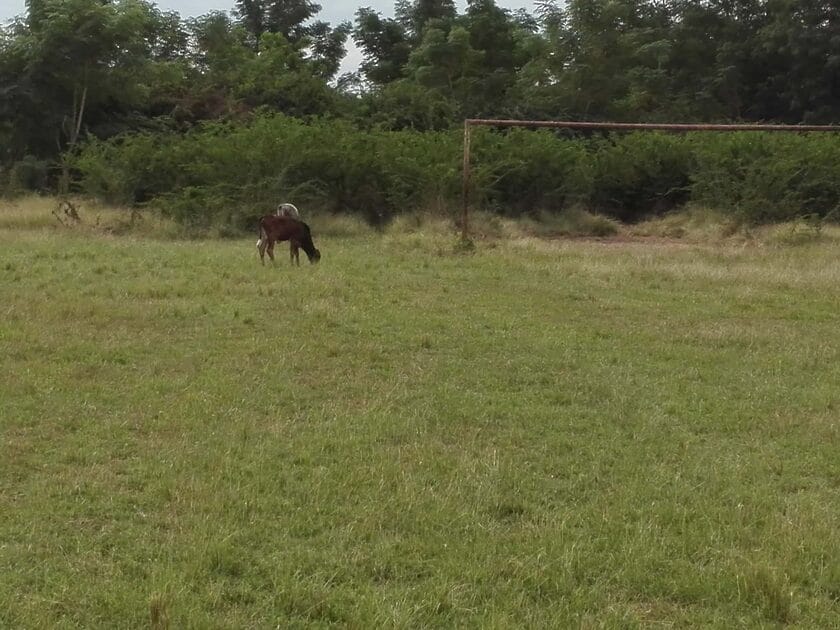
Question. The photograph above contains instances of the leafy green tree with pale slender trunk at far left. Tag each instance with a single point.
(76, 63)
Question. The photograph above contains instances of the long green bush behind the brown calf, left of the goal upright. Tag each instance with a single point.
(329, 165)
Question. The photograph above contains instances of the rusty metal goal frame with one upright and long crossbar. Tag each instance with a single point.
(677, 127)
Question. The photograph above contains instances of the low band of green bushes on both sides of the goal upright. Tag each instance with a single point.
(226, 173)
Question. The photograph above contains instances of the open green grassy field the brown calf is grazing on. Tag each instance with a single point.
(546, 433)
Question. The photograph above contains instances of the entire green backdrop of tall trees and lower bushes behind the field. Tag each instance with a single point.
(203, 90)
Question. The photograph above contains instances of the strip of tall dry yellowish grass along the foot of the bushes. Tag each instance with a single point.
(692, 224)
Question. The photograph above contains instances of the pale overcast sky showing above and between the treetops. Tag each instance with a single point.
(332, 11)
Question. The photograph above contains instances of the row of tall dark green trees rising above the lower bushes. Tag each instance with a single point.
(77, 72)
